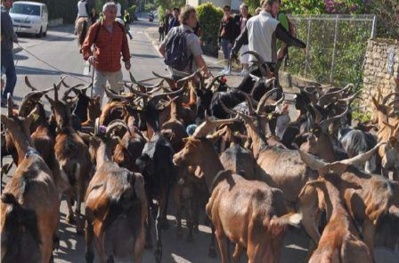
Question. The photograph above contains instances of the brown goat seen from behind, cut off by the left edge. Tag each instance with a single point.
(30, 202)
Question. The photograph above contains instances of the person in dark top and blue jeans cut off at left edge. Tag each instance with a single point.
(8, 37)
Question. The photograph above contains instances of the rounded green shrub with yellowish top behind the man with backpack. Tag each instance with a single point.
(209, 18)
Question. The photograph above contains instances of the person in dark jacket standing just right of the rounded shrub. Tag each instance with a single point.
(227, 35)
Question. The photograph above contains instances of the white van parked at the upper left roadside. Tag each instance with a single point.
(30, 17)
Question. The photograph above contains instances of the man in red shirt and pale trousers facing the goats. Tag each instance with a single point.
(111, 43)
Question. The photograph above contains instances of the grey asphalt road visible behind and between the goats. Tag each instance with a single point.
(45, 60)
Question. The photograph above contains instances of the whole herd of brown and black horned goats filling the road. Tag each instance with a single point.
(254, 170)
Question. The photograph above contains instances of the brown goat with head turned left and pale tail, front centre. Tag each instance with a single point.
(249, 213)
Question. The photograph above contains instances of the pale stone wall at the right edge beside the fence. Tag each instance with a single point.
(381, 68)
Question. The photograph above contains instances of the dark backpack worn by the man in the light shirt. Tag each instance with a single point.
(177, 53)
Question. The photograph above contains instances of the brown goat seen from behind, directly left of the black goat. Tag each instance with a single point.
(116, 206)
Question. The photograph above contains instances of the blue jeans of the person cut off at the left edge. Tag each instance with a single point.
(8, 67)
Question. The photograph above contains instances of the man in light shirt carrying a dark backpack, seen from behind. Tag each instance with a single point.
(181, 47)
